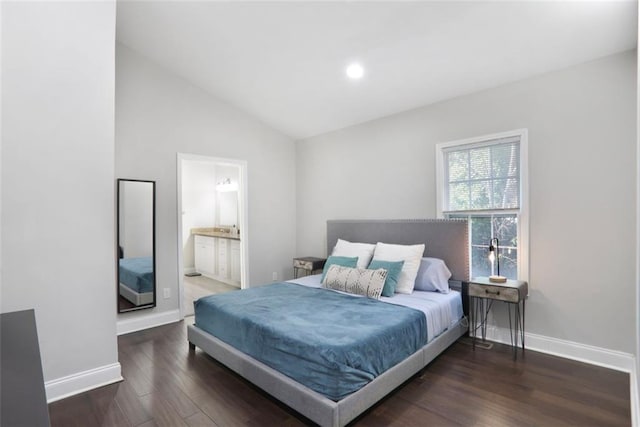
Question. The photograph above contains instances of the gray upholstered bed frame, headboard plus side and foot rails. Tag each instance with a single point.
(446, 239)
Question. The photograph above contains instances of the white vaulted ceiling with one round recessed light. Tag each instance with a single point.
(283, 62)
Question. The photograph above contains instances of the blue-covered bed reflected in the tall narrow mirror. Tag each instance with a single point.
(136, 280)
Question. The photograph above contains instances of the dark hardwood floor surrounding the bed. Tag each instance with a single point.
(166, 385)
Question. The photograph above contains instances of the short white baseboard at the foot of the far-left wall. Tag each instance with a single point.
(82, 381)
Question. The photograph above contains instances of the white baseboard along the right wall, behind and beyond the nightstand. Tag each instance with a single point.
(599, 356)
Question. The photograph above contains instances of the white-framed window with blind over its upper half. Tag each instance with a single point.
(485, 181)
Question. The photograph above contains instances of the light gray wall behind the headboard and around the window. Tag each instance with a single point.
(582, 161)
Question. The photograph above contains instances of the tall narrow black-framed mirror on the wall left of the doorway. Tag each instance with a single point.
(136, 244)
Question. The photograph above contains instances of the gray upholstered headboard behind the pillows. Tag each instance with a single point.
(447, 239)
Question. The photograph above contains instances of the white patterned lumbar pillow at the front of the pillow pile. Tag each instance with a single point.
(359, 281)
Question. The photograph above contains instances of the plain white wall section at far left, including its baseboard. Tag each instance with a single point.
(58, 216)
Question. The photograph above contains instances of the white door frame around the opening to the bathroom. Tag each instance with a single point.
(243, 217)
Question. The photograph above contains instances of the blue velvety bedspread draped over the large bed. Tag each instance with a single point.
(330, 342)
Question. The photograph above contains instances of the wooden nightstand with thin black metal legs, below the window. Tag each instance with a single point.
(482, 293)
